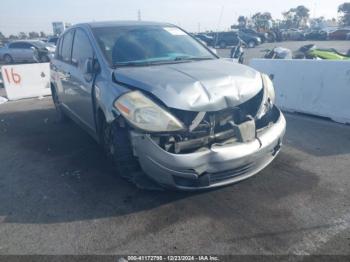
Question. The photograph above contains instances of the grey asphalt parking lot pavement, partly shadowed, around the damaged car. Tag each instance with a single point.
(60, 195)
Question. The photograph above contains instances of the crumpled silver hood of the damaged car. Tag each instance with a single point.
(209, 85)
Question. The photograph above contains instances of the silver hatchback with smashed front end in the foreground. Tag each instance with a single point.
(166, 109)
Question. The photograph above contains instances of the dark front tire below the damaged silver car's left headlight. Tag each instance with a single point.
(116, 144)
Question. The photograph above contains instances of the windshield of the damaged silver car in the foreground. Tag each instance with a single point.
(145, 45)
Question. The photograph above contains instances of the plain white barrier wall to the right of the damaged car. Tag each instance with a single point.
(318, 87)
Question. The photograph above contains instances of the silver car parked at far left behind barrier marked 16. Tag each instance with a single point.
(26, 51)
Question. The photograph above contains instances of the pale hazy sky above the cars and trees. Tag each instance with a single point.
(192, 15)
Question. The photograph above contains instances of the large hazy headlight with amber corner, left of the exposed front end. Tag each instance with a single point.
(144, 114)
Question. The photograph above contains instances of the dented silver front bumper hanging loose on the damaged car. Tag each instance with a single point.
(219, 165)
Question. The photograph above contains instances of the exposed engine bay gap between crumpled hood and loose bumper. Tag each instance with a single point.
(204, 129)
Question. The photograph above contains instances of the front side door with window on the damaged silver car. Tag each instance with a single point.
(81, 83)
